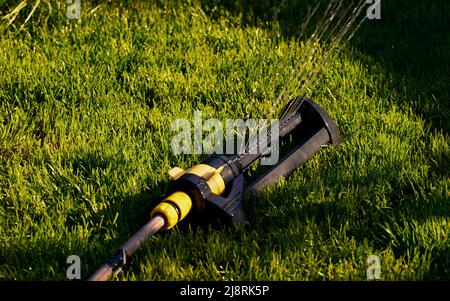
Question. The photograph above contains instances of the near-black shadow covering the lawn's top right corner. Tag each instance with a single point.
(412, 43)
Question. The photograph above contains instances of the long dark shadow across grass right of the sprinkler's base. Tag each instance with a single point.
(336, 222)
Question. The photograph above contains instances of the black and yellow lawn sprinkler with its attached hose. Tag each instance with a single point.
(215, 188)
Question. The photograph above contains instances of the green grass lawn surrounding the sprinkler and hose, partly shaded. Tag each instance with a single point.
(85, 117)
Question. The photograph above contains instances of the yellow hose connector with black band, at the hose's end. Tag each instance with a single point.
(174, 208)
